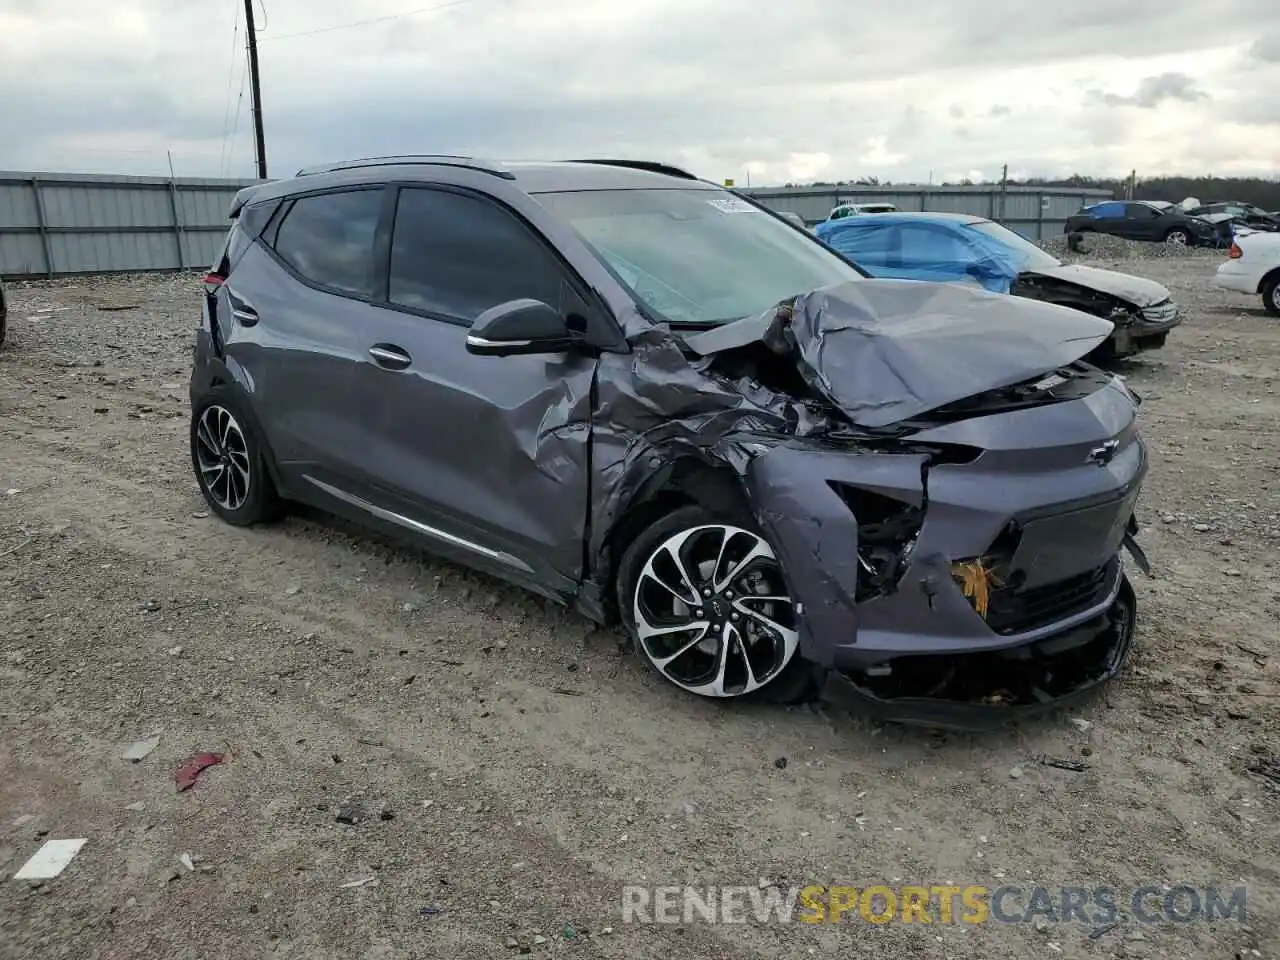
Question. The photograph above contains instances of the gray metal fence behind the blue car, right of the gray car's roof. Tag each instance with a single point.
(1037, 213)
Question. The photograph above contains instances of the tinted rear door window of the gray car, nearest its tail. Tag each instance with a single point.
(330, 240)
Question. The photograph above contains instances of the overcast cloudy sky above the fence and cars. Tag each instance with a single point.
(796, 92)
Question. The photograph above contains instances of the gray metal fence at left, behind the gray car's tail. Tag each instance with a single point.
(57, 225)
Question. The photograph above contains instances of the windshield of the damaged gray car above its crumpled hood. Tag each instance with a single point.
(700, 257)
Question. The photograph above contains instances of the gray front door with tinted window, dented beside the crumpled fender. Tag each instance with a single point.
(487, 458)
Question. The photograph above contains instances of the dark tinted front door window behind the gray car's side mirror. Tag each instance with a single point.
(459, 255)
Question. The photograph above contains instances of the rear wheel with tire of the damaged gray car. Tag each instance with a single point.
(230, 463)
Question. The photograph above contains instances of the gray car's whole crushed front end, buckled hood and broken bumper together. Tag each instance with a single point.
(948, 486)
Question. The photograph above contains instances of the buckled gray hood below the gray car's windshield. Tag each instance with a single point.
(886, 351)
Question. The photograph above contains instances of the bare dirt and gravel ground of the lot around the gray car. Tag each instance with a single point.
(515, 771)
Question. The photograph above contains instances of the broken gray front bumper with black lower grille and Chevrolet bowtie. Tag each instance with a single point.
(968, 572)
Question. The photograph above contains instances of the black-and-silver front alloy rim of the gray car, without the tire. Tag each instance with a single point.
(714, 614)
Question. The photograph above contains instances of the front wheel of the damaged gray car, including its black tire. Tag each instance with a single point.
(706, 602)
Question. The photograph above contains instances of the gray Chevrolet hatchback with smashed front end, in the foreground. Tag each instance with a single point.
(637, 394)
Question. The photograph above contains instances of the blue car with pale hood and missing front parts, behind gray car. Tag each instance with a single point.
(966, 249)
